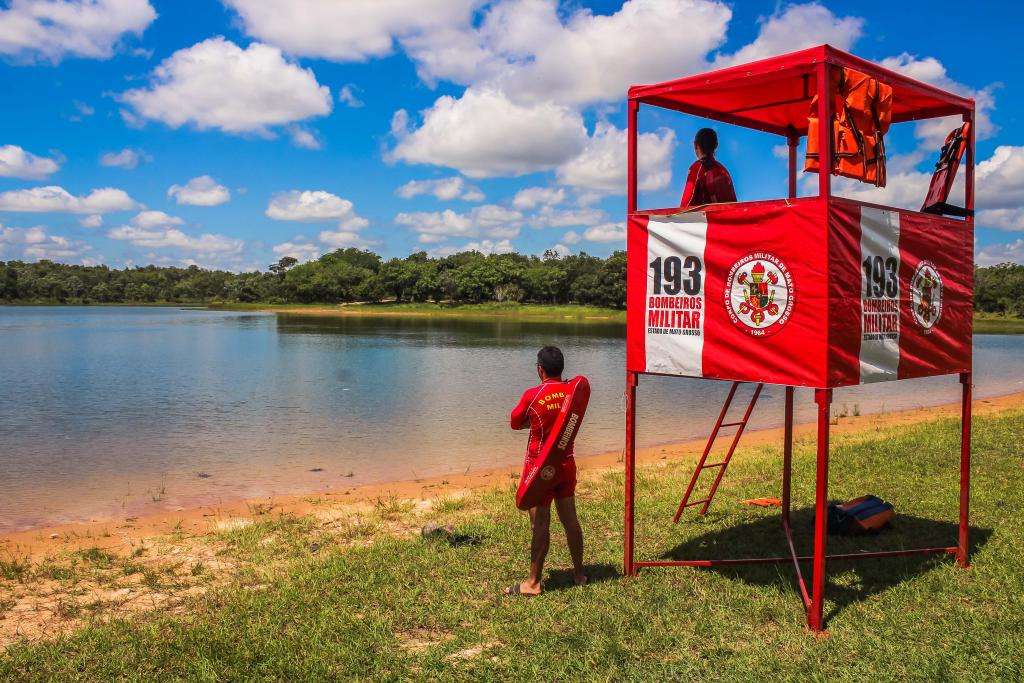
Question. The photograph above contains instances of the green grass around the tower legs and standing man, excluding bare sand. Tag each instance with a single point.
(403, 609)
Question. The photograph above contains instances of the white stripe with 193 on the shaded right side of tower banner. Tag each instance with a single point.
(879, 294)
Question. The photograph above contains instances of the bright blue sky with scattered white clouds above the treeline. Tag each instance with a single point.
(229, 135)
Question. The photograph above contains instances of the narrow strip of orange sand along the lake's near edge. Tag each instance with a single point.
(127, 533)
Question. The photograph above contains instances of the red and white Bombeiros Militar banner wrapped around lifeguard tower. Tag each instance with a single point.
(789, 293)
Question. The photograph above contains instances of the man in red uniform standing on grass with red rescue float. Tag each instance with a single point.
(553, 412)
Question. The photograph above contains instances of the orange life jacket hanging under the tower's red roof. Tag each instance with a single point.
(862, 116)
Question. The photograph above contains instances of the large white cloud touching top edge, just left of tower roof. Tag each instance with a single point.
(535, 54)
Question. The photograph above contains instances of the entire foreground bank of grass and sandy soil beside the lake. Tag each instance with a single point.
(346, 585)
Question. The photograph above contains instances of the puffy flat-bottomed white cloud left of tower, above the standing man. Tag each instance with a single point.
(485, 135)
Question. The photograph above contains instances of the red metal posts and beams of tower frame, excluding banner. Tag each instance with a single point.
(814, 596)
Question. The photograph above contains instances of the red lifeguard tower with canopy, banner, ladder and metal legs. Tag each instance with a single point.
(820, 292)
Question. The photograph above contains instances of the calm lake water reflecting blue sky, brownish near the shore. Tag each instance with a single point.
(113, 411)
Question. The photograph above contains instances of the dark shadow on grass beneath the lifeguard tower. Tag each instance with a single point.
(764, 538)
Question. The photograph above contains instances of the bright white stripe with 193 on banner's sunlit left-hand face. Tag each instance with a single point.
(674, 312)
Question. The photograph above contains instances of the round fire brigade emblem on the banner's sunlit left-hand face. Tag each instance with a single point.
(759, 294)
